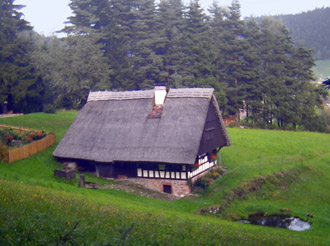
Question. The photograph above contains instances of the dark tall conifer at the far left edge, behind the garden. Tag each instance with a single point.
(20, 84)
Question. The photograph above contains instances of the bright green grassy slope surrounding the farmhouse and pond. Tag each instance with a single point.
(38, 209)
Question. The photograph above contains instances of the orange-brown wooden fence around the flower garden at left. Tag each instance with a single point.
(29, 149)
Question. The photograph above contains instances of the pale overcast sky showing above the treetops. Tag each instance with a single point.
(48, 16)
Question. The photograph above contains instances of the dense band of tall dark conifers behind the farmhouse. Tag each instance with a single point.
(134, 44)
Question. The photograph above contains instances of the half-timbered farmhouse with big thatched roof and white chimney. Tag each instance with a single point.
(154, 138)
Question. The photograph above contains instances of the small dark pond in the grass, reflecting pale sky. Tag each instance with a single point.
(280, 221)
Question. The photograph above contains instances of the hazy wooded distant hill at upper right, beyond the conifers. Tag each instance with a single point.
(312, 30)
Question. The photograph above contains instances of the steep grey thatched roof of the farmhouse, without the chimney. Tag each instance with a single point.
(114, 126)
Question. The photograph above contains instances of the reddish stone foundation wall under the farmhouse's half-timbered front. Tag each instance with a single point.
(178, 188)
